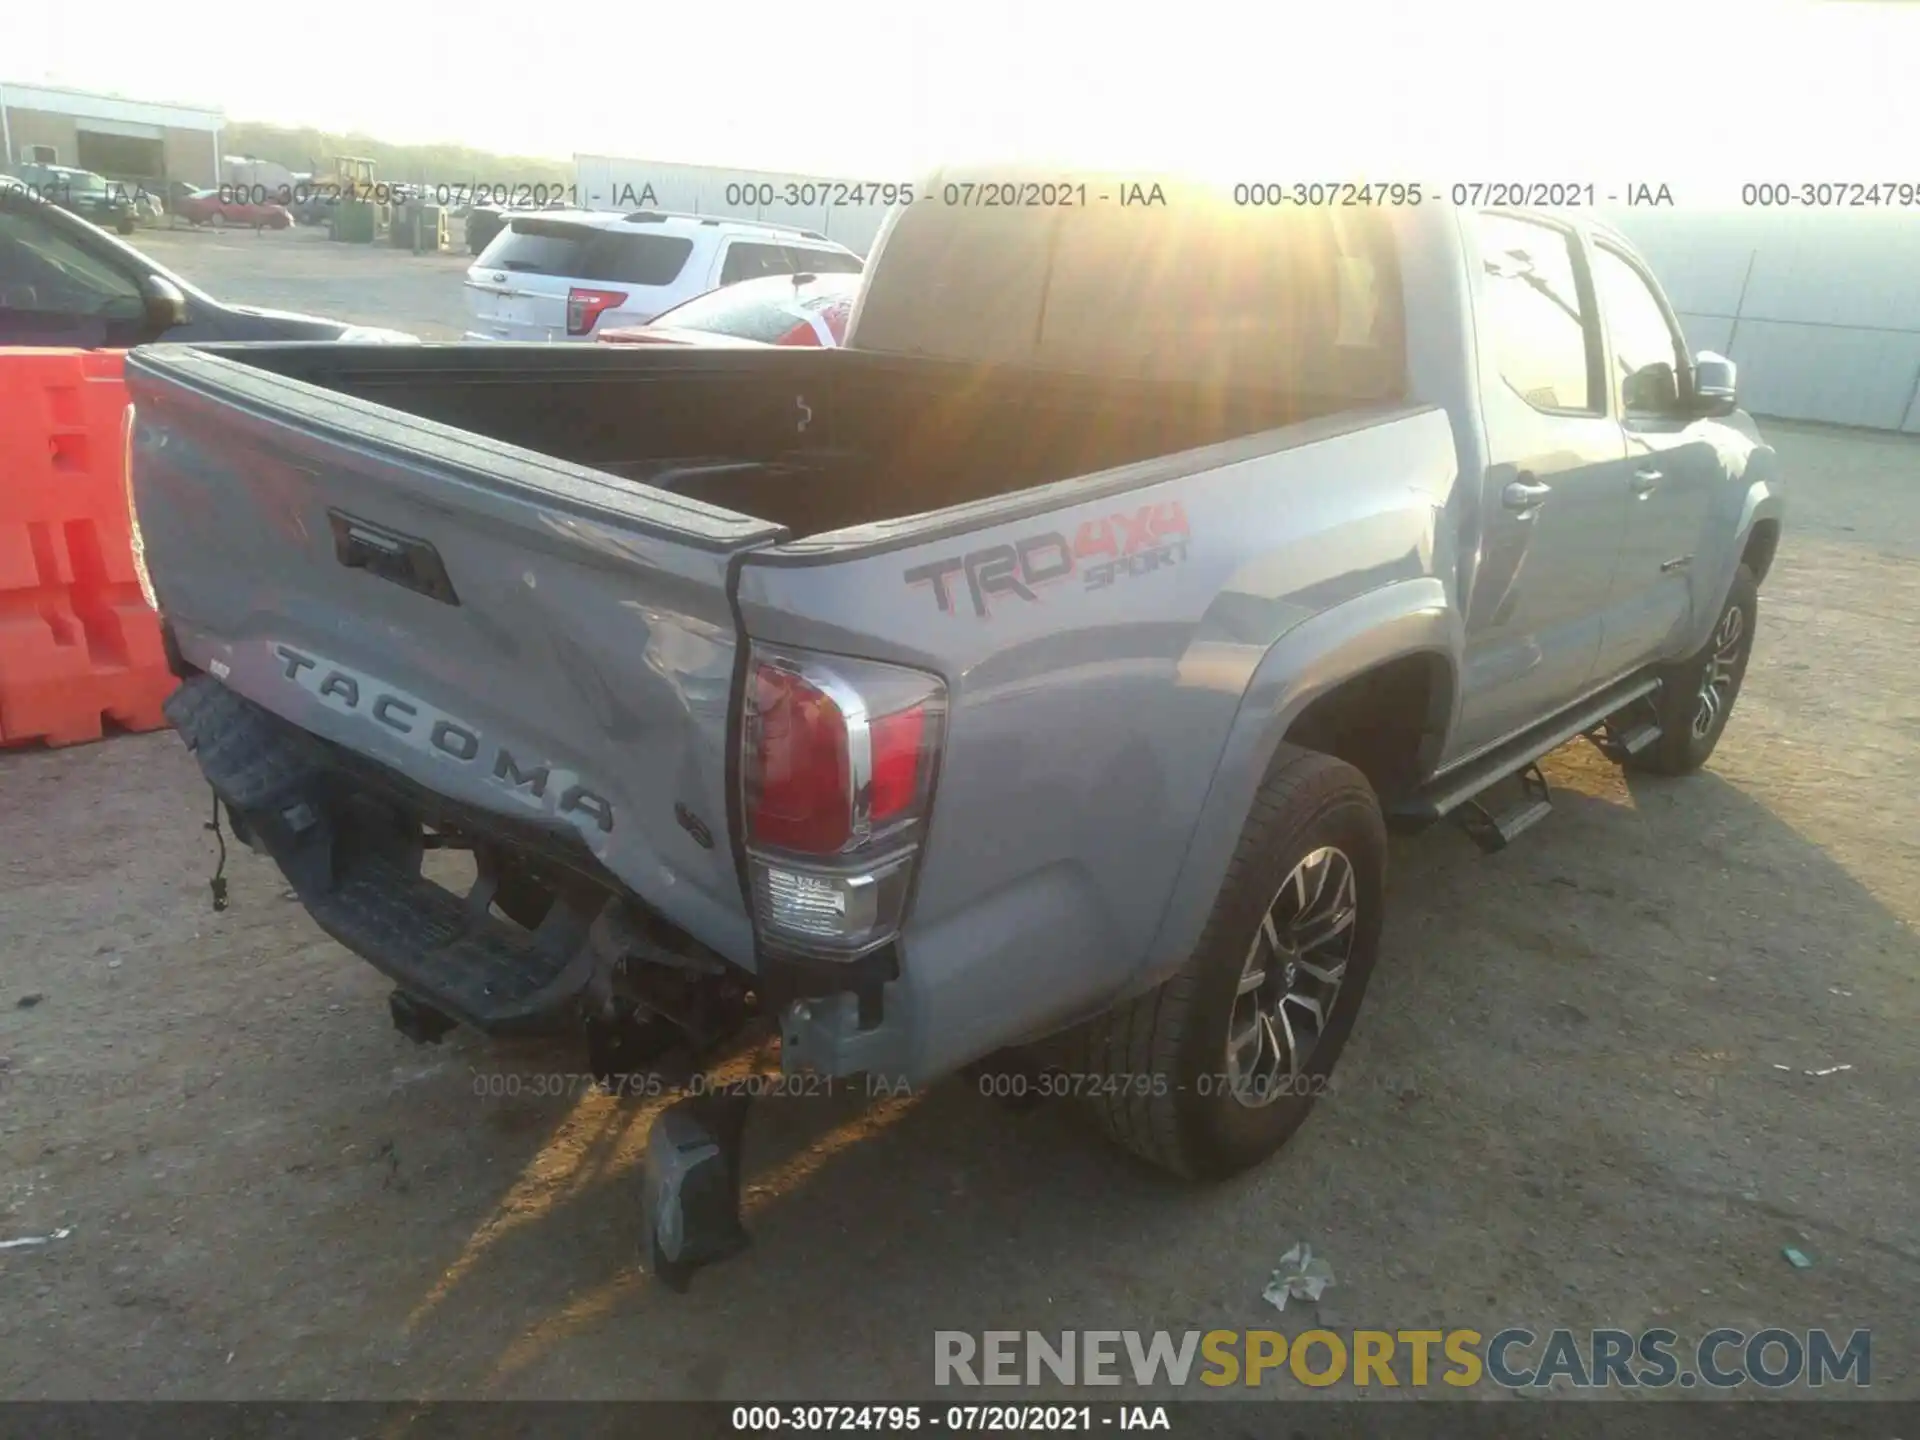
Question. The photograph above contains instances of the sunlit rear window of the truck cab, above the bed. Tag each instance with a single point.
(1197, 291)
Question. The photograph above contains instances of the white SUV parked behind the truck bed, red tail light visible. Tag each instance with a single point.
(556, 276)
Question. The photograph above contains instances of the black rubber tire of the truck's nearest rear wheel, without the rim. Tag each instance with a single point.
(1161, 1059)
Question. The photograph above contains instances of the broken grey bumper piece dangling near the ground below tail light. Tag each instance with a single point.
(692, 1186)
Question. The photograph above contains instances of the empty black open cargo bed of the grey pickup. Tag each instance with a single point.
(807, 441)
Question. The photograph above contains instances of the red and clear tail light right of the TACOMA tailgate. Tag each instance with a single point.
(838, 769)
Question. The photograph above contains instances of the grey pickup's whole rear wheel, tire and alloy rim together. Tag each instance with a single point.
(1216, 1068)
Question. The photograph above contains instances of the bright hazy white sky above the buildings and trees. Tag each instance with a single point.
(1700, 93)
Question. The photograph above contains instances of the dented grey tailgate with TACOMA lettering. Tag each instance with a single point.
(510, 631)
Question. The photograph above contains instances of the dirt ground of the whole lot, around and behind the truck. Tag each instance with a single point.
(1577, 1095)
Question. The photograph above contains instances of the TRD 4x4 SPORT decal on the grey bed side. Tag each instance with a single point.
(1103, 552)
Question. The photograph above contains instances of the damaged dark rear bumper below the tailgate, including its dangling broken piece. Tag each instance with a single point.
(533, 949)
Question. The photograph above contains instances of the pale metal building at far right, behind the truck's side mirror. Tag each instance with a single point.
(1821, 310)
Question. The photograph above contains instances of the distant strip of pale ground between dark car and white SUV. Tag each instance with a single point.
(302, 270)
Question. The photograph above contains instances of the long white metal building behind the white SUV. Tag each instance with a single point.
(777, 197)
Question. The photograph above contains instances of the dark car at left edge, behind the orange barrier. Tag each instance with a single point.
(66, 283)
